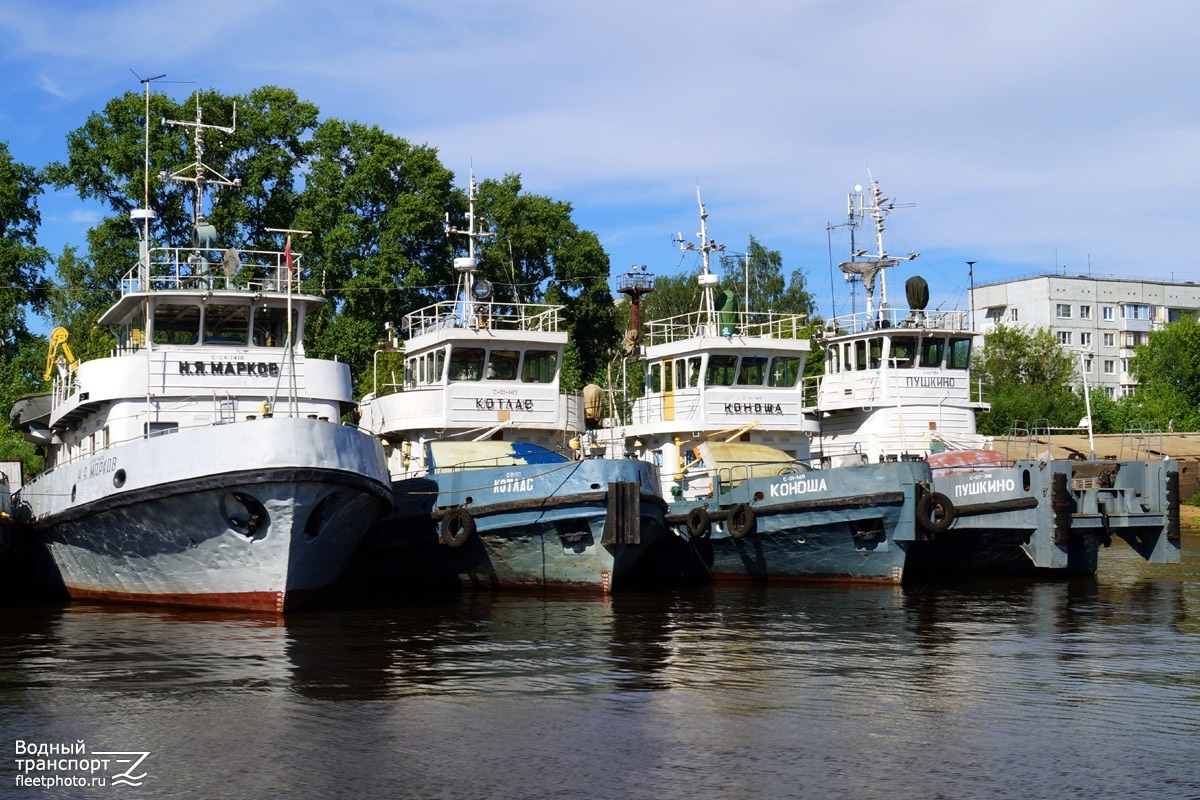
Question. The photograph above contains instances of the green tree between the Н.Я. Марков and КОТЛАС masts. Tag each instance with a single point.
(376, 206)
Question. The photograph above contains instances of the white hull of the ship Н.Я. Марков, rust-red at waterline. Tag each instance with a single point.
(253, 516)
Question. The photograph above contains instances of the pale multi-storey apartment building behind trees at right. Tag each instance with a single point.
(1100, 321)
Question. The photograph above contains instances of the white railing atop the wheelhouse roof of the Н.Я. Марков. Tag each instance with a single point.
(208, 269)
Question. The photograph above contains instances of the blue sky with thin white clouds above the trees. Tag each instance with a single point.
(1027, 136)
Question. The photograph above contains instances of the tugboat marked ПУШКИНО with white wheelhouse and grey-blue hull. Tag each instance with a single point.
(898, 387)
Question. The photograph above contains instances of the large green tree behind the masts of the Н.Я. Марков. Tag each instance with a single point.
(106, 163)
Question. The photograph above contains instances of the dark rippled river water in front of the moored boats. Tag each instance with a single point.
(1084, 689)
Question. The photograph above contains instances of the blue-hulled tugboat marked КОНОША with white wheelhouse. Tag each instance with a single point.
(723, 418)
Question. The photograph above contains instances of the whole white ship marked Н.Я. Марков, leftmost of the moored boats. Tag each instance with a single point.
(203, 462)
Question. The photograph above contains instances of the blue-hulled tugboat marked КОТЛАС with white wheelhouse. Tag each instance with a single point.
(489, 492)
